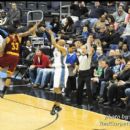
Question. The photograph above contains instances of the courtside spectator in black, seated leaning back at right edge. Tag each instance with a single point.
(117, 88)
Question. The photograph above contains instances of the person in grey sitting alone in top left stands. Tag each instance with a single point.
(13, 14)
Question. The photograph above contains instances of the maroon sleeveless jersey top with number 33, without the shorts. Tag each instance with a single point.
(13, 44)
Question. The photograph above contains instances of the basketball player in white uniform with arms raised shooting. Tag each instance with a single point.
(61, 70)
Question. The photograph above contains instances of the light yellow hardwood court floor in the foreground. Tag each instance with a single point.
(23, 112)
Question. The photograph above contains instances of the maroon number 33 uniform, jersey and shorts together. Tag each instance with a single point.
(11, 56)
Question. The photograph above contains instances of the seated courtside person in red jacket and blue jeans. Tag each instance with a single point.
(40, 61)
